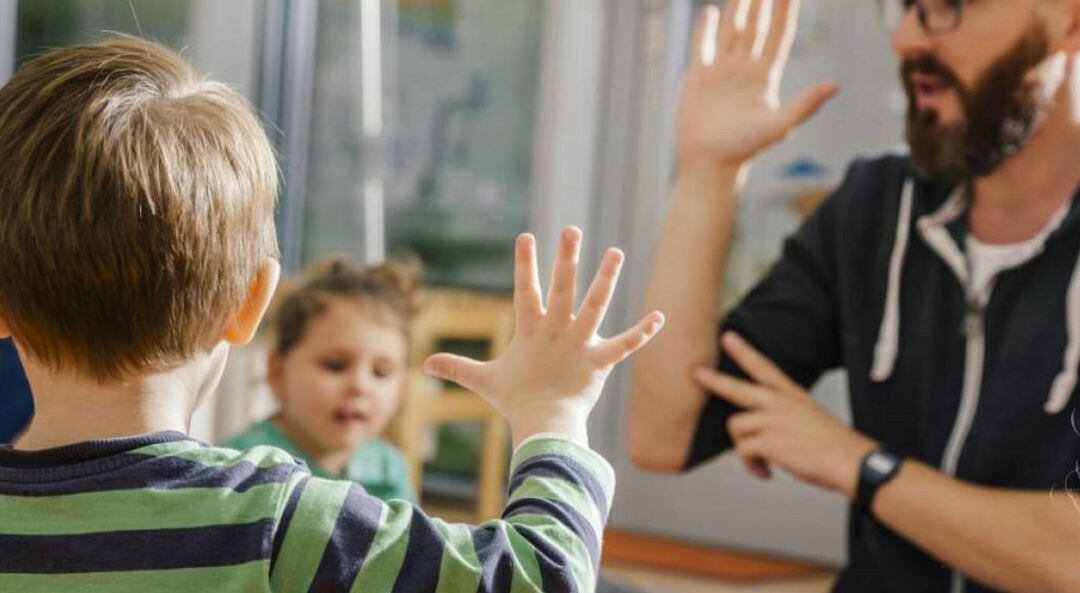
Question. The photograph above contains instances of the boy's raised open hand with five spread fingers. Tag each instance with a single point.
(550, 376)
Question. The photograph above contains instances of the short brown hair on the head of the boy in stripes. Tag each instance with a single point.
(137, 208)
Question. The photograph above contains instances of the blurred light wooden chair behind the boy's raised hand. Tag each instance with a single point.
(451, 316)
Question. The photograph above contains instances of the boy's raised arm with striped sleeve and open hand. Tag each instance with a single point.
(334, 537)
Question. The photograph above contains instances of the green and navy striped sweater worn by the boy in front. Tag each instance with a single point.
(164, 513)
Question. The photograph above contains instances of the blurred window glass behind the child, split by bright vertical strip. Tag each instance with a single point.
(462, 82)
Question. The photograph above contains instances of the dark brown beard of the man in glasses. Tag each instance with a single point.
(1000, 115)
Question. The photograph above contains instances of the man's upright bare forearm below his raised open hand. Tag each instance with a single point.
(685, 284)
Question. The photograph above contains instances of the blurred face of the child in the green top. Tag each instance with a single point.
(343, 383)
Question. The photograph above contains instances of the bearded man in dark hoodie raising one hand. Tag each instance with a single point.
(944, 280)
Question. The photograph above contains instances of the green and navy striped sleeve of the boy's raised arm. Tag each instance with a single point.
(332, 536)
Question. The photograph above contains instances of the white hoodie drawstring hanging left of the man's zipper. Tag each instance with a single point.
(888, 344)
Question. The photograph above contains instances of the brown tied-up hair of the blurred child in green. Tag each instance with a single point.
(390, 290)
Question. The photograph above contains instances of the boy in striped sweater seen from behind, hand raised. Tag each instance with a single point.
(137, 208)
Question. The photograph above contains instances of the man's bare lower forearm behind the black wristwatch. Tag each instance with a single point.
(1015, 541)
